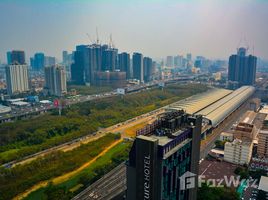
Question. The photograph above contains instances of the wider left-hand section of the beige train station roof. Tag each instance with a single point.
(198, 102)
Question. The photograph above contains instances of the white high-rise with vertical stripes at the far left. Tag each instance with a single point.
(17, 79)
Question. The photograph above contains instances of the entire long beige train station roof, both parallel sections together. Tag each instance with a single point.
(216, 104)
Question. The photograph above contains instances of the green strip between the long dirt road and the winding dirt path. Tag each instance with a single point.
(18, 179)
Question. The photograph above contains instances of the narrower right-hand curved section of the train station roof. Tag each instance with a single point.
(221, 109)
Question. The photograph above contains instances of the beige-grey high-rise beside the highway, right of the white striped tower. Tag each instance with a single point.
(55, 80)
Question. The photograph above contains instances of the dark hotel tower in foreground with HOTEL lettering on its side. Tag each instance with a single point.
(161, 157)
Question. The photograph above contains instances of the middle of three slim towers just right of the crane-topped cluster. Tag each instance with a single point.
(137, 60)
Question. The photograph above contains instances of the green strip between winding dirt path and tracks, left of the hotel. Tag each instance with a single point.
(103, 165)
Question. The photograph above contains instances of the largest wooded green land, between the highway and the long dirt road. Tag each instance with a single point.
(25, 137)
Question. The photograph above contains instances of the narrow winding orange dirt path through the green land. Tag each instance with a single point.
(66, 176)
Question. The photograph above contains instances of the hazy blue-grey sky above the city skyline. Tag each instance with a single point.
(156, 28)
